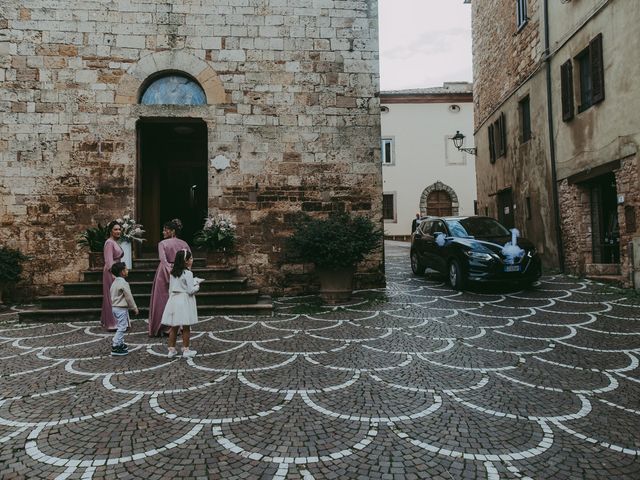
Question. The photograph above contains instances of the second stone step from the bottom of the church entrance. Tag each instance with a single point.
(142, 300)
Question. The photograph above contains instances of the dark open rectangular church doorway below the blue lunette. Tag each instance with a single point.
(172, 176)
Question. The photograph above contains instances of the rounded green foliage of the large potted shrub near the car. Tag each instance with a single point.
(339, 241)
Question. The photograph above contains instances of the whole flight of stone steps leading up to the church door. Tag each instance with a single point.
(222, 292)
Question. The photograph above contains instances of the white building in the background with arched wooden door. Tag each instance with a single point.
(422, 170)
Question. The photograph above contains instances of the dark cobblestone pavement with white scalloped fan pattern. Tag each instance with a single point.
(415, 381)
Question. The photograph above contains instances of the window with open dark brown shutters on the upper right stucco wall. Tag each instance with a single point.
(590, 81)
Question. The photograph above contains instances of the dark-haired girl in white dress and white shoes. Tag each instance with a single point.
(181, 309)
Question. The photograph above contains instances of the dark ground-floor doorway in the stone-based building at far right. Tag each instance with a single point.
(605, 230)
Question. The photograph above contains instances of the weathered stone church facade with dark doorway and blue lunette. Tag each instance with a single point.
(258, 109)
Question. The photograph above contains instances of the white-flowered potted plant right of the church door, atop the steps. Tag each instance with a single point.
(217, 238)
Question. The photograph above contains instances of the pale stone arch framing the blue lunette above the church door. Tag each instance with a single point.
(134, 80)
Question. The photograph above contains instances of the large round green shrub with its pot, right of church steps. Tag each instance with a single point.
(335, 245)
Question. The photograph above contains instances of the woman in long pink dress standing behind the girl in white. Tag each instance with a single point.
(167, 249)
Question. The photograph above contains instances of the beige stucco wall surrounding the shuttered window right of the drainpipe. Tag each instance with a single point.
(609, 130)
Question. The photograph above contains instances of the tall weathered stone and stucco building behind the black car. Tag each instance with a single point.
(556, 128)
